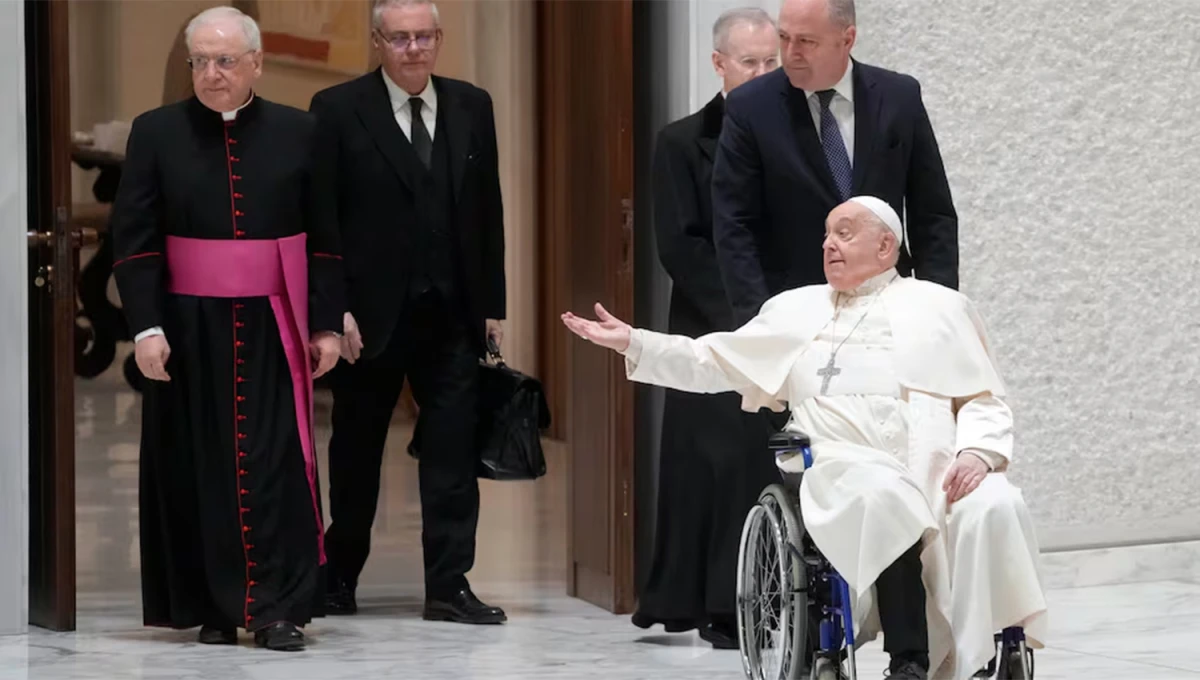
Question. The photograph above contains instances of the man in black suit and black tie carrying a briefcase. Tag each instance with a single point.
(418, 194)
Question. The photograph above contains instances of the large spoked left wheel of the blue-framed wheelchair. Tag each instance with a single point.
(771, 589)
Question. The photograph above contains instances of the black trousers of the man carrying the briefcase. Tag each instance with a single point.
(433, 348)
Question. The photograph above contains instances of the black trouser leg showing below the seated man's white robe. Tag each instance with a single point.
(902, 599)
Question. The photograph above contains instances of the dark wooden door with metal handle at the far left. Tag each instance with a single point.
(53, 267)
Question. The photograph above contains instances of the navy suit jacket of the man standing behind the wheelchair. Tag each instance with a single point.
(772, 188)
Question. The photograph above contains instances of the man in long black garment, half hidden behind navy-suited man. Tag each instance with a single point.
(712, 470)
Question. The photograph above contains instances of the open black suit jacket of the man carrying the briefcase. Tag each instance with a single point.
(362, 148)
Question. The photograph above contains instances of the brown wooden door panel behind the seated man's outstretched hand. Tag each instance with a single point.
(586, 91)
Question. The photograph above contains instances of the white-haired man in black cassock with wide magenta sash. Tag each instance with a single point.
(231, 279)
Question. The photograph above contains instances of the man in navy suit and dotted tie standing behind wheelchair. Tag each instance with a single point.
(803, 140)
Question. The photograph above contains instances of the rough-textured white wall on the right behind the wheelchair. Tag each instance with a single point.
(1072, 143)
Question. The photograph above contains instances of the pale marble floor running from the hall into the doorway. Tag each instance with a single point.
(1138, 631)
